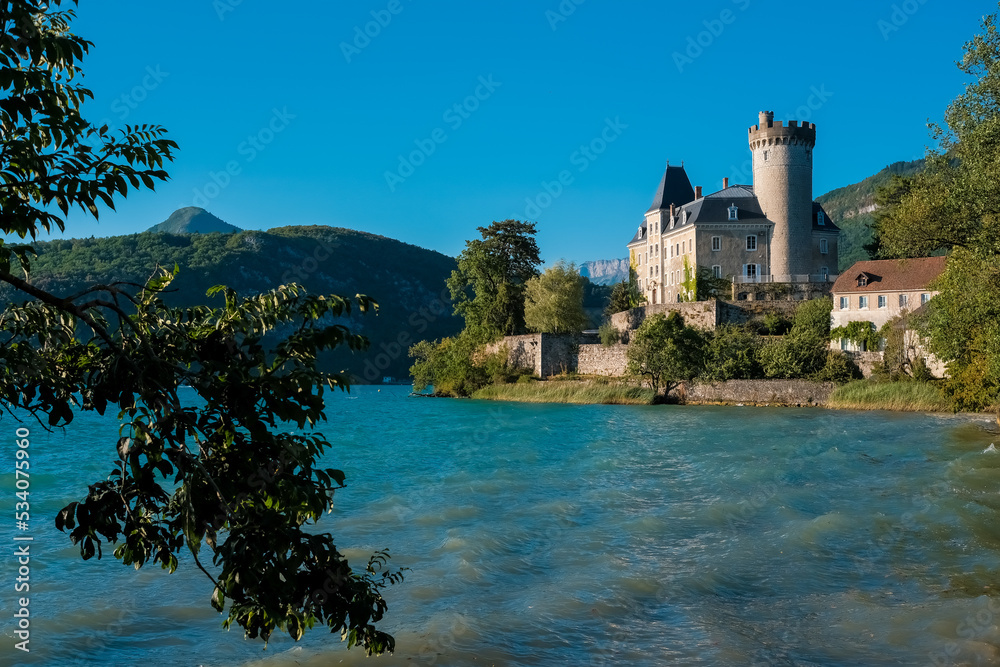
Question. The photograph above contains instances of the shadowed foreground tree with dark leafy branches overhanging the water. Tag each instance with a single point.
(224, 475)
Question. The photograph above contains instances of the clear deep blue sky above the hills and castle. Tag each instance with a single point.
(296, 116)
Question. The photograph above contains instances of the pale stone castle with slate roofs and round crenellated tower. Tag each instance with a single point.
(770, 232)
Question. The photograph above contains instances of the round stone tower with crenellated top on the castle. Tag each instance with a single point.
(782, 181)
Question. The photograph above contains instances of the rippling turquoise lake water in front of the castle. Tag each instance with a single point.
(582, 535)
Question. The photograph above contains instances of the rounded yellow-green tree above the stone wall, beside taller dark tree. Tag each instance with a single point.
(554, 301)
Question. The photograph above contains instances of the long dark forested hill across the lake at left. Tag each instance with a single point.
(407, 281)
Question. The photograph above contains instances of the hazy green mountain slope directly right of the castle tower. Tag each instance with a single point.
(851, 208)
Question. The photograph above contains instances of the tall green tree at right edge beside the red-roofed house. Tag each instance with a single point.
(954, 206)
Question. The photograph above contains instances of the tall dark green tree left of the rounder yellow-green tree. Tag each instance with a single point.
(488, 285)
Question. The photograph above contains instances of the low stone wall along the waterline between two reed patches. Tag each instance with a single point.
(758, 392)
